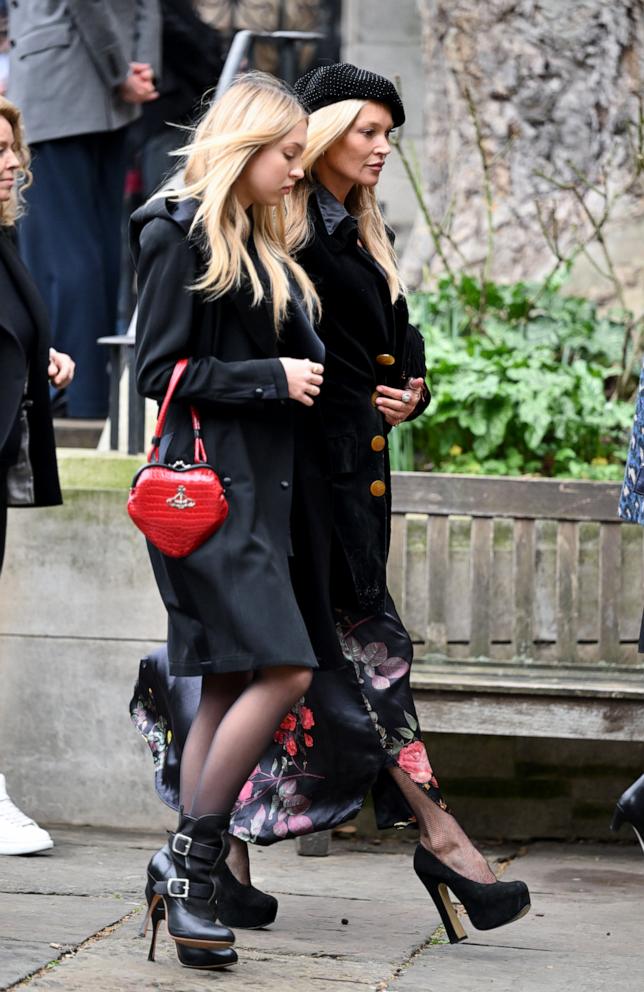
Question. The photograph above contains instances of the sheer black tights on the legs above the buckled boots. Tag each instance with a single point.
(237, 717)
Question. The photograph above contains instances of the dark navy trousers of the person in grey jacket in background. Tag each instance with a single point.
(70, 241)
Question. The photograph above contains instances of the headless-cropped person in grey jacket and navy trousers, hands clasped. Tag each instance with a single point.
(80, 73)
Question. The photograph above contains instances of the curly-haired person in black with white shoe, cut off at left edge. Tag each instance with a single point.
(29, 364)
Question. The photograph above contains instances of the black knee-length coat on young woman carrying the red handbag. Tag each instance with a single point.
(230, 604)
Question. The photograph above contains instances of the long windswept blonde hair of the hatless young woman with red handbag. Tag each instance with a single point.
(256, 111)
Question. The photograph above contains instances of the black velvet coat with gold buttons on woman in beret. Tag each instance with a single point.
(361, 330)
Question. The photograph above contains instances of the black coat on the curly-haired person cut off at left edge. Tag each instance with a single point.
(42, 448)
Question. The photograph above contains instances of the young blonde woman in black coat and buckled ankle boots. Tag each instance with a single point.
(216, 286)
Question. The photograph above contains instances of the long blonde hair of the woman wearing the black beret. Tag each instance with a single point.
(326, 126)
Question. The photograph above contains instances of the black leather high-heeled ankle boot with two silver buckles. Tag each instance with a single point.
(197, 851)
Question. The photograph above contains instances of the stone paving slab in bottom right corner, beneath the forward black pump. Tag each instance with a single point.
(584, 931)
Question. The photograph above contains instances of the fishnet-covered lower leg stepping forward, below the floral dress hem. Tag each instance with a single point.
(441, 833)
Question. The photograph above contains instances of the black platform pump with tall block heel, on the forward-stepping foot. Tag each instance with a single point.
(488, 906)
